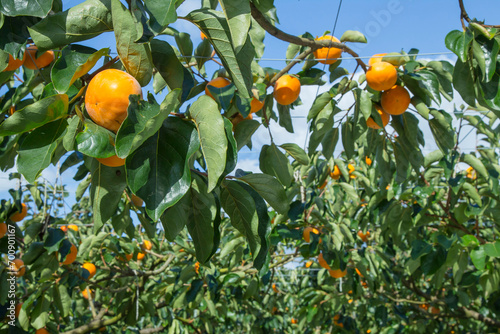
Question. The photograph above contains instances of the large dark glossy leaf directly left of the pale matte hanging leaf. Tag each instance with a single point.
(158, 171)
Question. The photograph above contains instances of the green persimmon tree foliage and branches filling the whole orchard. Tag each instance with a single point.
(426, 259)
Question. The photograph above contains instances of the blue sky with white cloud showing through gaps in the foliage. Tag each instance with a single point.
(389, 25)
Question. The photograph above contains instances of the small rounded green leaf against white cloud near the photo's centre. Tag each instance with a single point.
(273, 162)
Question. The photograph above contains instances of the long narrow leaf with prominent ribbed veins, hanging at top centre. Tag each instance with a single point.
(236, 62)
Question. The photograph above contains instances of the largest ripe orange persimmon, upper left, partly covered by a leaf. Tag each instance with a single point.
(107, 97)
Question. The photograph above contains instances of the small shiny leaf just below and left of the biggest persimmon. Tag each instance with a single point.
(95, 141)
